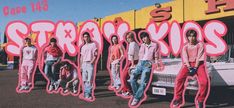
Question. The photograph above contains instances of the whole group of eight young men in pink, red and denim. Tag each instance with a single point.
(129, 79)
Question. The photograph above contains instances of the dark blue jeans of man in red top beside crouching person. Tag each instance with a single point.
(50, 71)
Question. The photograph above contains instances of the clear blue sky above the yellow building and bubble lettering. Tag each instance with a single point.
(72, 10)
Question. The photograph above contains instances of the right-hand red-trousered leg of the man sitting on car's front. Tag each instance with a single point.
(203, 83)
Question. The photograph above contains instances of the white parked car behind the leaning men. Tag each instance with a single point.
(220, 70)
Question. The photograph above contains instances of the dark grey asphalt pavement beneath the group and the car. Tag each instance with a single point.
(39, 98)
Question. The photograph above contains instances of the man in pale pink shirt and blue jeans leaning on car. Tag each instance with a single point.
(148, 56)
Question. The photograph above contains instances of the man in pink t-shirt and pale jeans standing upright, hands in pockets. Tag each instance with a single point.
(89, 53)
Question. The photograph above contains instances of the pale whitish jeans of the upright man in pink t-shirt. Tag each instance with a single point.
(87, 78)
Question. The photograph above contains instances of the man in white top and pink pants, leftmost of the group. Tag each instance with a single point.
(28, 64)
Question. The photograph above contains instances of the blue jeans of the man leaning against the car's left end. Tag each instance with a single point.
(142, 69)
